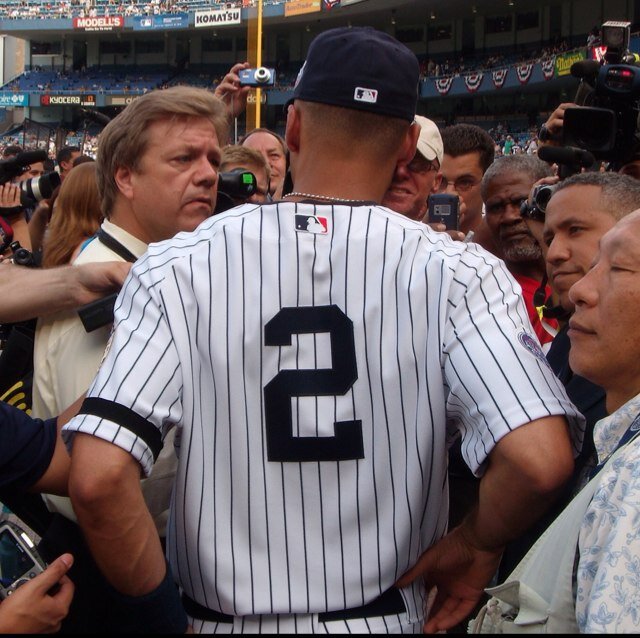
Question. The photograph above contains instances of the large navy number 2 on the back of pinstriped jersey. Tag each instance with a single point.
(282, 445)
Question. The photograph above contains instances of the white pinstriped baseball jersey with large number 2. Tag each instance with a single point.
(315, 359)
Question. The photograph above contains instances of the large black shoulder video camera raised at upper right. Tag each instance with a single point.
(606, 121)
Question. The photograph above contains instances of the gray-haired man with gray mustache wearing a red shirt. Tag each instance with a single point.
(505, 186)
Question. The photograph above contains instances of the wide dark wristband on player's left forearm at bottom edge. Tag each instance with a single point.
(158, 612)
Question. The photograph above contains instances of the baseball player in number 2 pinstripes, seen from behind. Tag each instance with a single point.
(316, 354)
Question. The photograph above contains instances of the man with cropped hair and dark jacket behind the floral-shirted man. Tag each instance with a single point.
(581, 209)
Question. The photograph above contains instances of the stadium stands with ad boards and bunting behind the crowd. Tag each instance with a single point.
(497, 56)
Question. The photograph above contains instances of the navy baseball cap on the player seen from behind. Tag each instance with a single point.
(360, 68)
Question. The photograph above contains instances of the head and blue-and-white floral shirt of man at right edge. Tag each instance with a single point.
(605, 348)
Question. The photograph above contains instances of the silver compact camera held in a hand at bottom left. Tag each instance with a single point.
(19, 559)
